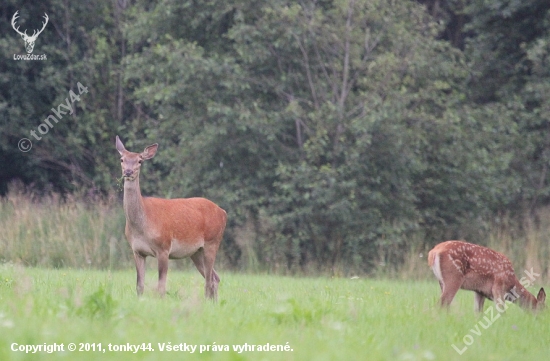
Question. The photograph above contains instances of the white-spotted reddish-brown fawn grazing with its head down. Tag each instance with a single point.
(489, 274)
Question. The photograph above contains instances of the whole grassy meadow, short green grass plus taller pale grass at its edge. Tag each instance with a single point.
(67, 276)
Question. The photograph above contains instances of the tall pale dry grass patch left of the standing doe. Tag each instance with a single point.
(62, 233)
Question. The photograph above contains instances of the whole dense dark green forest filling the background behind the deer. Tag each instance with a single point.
(328, 129)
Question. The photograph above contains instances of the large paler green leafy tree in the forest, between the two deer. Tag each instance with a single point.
(382, 142)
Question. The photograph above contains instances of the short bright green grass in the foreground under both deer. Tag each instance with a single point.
(320, 318)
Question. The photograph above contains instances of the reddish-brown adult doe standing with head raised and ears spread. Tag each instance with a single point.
(169, 228)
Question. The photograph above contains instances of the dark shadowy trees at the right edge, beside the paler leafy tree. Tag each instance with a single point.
(509, 61)
